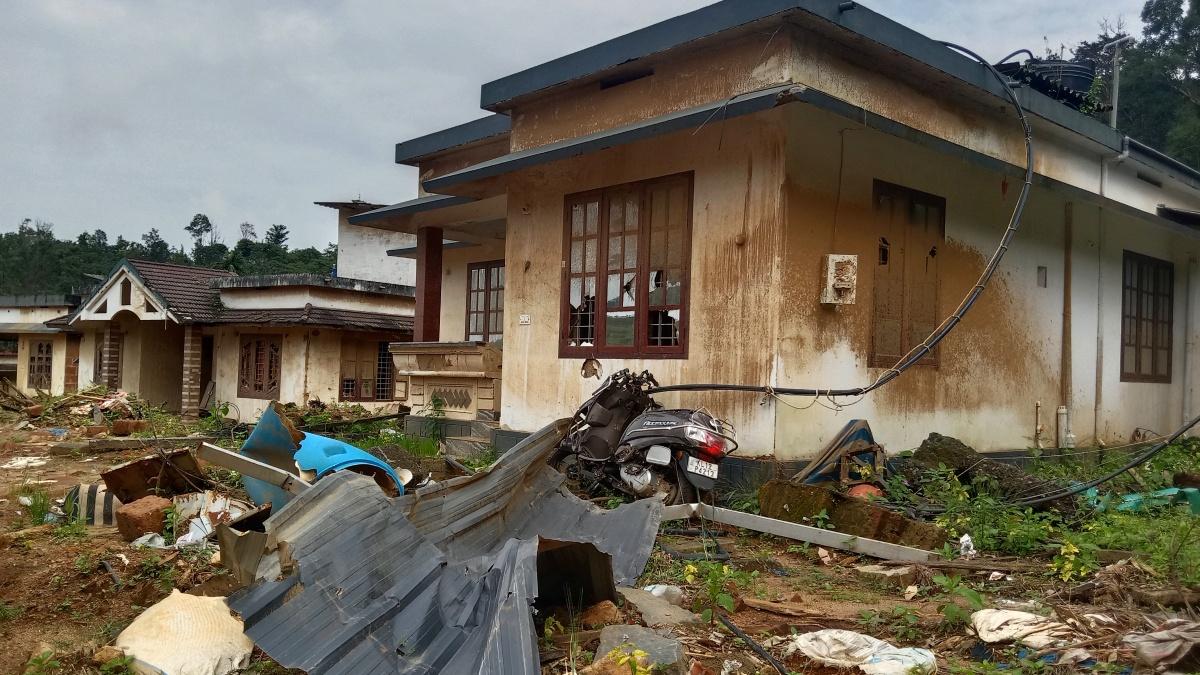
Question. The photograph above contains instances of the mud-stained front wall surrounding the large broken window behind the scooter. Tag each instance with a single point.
(737, 192)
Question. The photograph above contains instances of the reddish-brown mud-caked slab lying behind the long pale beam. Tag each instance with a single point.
(788, 501)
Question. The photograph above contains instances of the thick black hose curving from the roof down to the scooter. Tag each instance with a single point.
(951, 322)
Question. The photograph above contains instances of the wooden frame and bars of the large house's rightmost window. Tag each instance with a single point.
(1163, 303)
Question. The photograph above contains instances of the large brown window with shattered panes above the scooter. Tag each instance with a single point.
(626, 271)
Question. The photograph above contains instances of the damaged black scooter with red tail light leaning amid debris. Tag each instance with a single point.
(626, 441)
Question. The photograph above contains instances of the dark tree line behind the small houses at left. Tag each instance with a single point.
(33, 260)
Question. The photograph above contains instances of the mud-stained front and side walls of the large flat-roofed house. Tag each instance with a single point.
(772, 182)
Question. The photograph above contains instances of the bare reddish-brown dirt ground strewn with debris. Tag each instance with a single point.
(57, 594)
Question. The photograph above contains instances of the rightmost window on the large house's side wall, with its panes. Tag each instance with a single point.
(1147, 319)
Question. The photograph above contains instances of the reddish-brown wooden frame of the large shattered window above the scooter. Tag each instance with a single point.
(641, 308)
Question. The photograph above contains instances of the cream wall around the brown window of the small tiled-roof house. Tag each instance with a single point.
(311, 368)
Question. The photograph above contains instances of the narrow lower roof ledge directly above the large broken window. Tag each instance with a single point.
(689, 118)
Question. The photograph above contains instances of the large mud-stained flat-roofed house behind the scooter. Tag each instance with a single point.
(795, 194)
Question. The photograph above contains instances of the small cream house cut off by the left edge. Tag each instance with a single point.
(38, 353)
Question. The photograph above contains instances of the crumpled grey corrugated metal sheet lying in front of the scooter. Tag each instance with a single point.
(440, 581)
